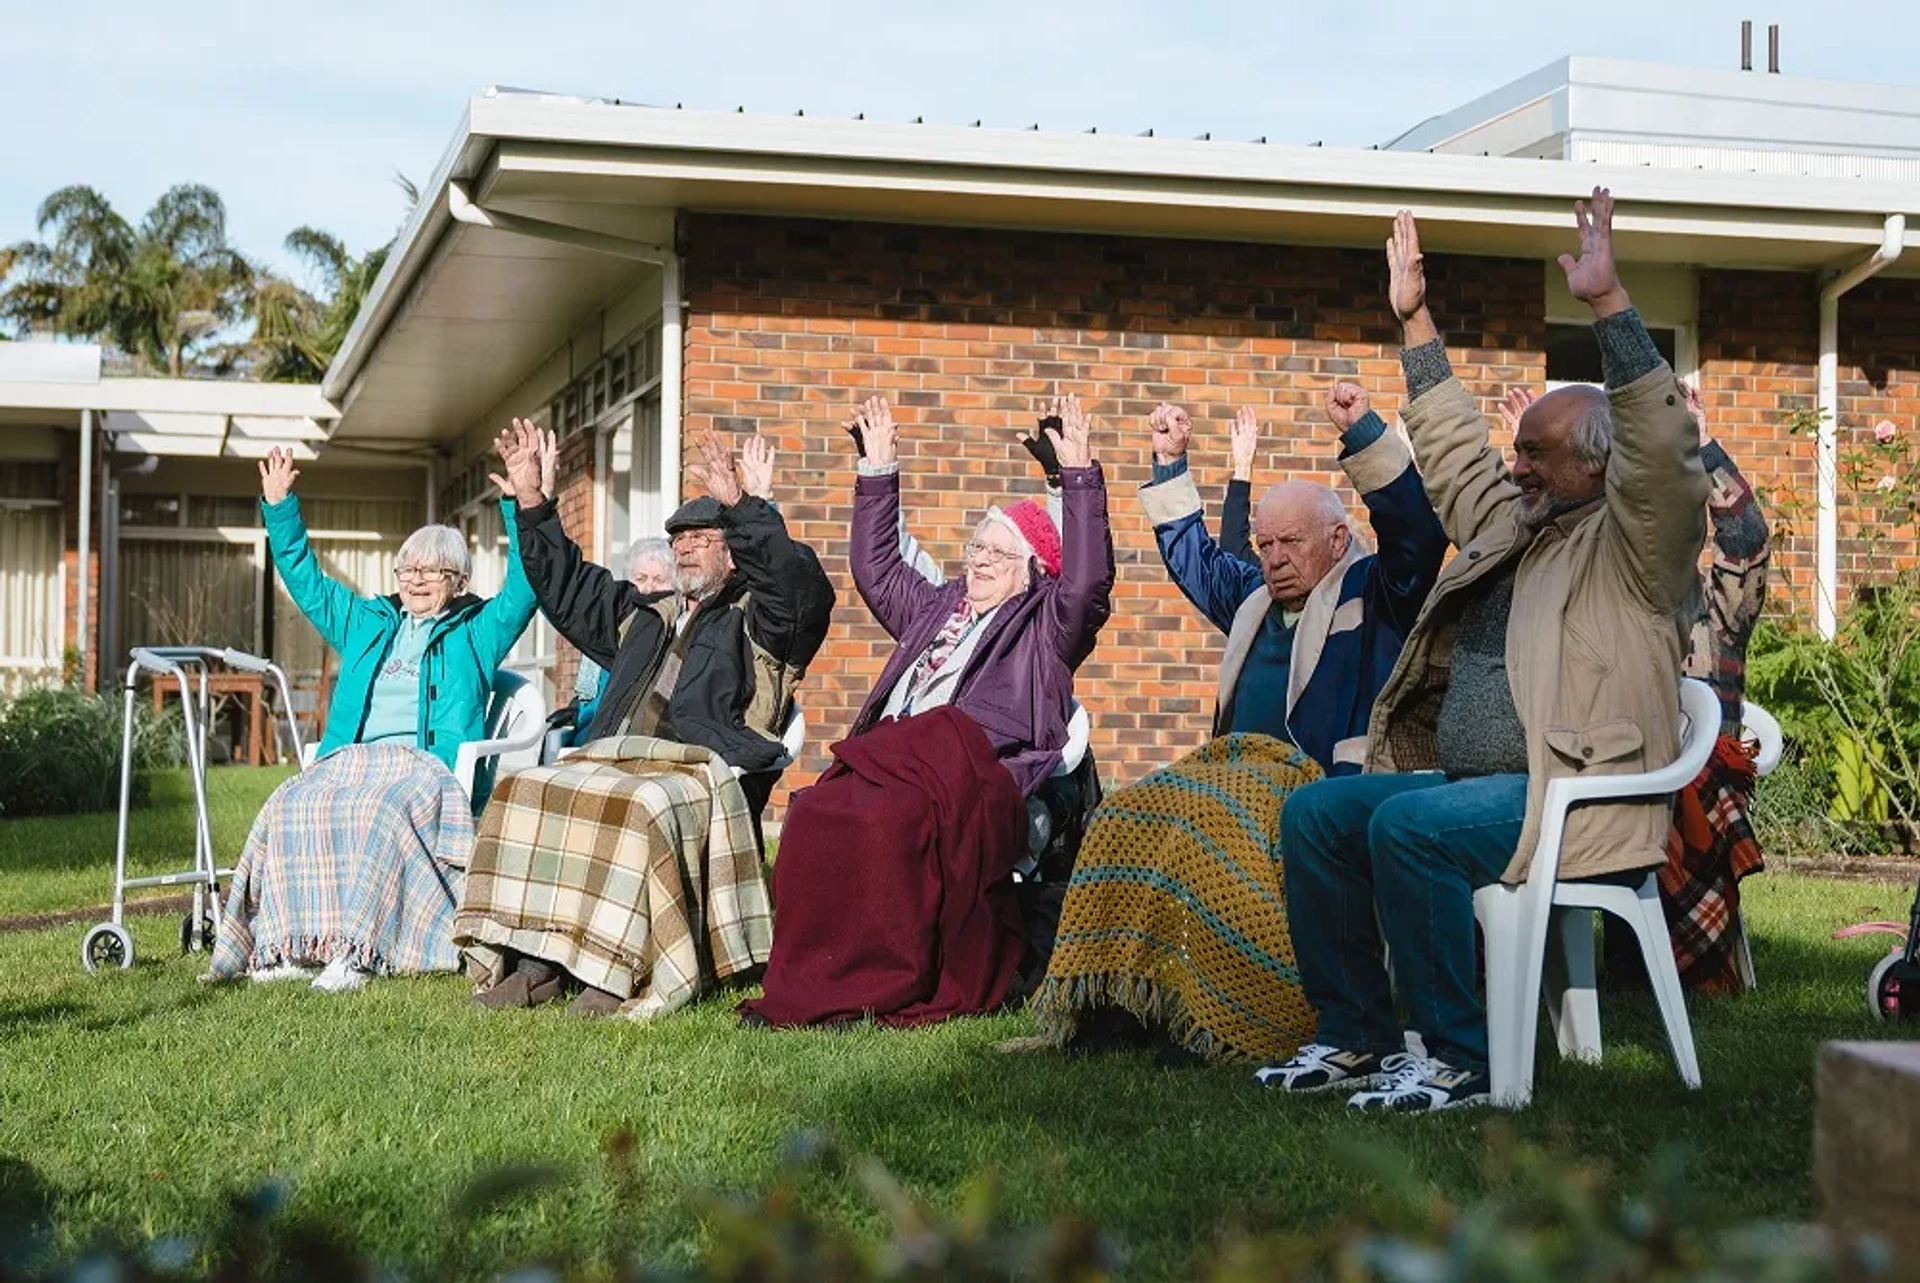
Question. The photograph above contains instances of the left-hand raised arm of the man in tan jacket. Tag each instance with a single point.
(1466, 477)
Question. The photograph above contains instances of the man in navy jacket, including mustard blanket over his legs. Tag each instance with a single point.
(1174, 932)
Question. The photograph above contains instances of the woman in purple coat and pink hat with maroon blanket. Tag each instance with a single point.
(894, 888)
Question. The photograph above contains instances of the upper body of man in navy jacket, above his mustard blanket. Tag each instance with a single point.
(1314, 621)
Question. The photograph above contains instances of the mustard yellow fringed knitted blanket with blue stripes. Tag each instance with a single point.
(1178, 908)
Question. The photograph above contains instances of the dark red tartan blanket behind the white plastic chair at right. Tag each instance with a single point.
(1710, 850)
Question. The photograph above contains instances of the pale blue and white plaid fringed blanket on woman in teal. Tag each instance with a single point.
(360, 856)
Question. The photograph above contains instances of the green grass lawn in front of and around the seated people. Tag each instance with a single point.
(141, 1100)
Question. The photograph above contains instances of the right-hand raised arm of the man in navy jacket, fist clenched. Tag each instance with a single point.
(1408, 539)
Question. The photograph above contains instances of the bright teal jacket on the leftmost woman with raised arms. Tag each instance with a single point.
(458, 673)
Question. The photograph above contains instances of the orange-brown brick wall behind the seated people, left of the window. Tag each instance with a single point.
(794, 322)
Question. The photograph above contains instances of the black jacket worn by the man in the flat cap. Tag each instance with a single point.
(750, 644)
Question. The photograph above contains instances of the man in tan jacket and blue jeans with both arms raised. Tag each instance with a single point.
(1548, 648)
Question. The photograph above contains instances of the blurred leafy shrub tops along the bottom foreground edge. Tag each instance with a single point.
(1543, 1217)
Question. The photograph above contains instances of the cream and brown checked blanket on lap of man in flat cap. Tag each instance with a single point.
(633, 865)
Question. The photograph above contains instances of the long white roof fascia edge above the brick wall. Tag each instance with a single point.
(1147, 170)
